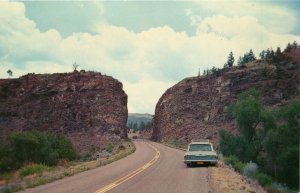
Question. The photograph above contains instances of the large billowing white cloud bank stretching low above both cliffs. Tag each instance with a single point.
(147, 63)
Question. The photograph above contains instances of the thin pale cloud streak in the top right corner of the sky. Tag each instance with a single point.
(276, 18)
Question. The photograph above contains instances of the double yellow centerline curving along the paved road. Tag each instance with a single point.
(132, 174)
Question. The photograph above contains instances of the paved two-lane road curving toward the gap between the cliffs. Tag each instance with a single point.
(153, 168)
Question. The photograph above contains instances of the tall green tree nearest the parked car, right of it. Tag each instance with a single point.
(248, 112)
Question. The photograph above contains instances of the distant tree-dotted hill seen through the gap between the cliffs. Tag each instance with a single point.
(138, 121)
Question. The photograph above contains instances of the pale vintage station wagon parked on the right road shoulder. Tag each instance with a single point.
(200, 152)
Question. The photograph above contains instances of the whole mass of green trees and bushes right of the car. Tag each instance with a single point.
(269, 138)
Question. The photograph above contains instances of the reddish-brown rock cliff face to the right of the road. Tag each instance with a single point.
(195, 108)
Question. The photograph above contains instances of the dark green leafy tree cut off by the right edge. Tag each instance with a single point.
(282, 145)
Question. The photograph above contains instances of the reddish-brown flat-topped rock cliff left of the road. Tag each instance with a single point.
(88, 107)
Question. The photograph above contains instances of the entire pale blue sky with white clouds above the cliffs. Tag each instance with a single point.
(147, 45)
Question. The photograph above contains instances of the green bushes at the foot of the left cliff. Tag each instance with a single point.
(34, 147)
